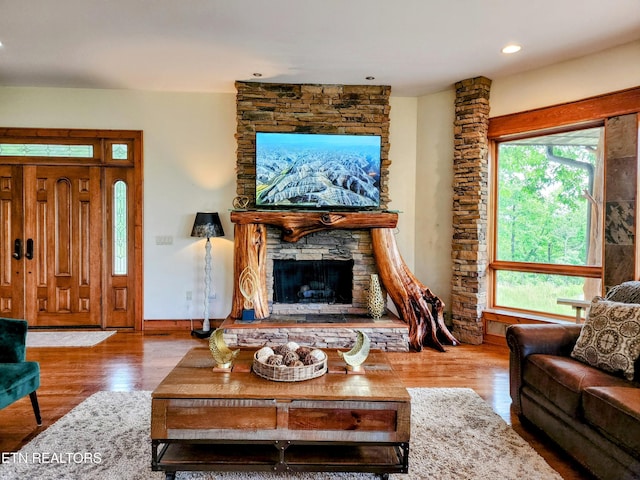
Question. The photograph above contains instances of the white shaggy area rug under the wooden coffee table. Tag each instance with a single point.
(454, 435)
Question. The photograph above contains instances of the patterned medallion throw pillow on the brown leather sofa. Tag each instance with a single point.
(610, 337)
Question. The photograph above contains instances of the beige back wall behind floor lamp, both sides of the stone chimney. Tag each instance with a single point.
(189, 166)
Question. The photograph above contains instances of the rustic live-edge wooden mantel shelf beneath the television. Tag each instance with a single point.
(296, 225)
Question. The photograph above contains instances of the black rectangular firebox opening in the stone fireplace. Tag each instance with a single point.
(312, 281)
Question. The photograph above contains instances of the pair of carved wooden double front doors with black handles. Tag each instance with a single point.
(54, 239)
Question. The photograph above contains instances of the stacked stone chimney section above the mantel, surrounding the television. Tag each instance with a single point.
(308, 108)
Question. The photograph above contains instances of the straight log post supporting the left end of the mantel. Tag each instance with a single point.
(250, 250)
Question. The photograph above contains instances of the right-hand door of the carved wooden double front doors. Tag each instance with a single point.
(63, 234)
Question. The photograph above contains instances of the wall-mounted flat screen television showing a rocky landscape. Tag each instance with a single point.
(306, 170)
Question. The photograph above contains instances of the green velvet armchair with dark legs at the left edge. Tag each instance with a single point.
(18, 377)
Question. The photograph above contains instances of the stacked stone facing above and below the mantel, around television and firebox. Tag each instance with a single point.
(311, 108)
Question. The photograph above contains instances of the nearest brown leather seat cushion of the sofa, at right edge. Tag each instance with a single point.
(615, 411)
